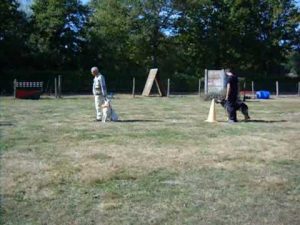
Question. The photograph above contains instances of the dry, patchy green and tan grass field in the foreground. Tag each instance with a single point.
(161, 164)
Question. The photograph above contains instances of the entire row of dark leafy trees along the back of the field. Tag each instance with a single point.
(127, 37)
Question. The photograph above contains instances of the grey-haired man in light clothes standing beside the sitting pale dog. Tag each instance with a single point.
(99, 91)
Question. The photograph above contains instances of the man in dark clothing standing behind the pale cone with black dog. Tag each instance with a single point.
(231, 96)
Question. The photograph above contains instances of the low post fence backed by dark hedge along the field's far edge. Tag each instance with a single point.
(80, 82)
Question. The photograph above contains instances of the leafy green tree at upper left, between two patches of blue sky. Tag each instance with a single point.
(57, 37)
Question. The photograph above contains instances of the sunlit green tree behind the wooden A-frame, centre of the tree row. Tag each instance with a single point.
(132, 33)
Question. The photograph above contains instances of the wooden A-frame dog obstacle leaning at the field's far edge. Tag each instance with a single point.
(153, 76)
